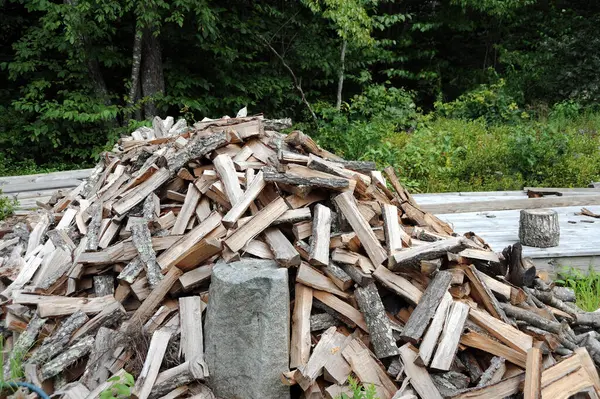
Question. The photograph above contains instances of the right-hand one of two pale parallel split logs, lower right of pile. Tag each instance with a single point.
(446, 350)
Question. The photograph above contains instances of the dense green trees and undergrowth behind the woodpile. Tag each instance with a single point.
(457, 94)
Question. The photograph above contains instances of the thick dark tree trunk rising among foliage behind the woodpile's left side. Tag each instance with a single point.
(153, 81)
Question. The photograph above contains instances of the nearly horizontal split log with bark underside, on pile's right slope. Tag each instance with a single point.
(411, 257)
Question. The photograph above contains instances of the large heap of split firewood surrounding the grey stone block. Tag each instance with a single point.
(113, 276)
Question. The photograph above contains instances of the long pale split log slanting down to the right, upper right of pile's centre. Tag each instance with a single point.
(347, 205)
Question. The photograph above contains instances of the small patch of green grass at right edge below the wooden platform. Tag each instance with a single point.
(586, 287)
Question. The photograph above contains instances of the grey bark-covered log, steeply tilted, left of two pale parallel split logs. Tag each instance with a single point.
(380, 329)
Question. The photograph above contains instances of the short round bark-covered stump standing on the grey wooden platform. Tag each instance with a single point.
(539, 228)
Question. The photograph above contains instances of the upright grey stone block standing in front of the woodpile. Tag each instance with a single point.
(247, 330)
